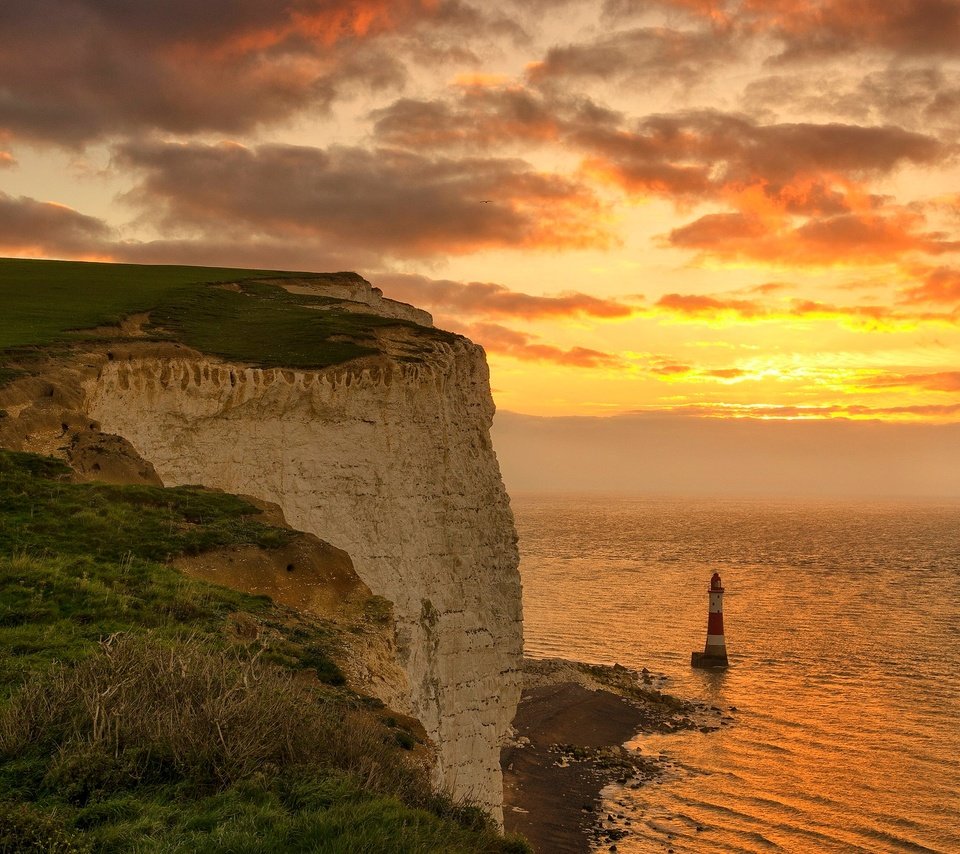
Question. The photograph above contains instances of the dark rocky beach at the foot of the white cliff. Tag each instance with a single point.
(571, 724)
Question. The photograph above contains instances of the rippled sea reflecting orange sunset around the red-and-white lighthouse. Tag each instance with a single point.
(843, 626)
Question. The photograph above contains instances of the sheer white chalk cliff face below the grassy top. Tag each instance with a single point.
(389, 459)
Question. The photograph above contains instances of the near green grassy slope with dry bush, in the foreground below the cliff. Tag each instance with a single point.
(139, 713)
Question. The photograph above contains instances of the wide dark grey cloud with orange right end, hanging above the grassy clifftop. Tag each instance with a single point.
(385, 201)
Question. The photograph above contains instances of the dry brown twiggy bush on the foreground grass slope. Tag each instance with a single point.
(149, 710)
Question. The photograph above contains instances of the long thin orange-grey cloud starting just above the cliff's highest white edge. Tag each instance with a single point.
(487, 299)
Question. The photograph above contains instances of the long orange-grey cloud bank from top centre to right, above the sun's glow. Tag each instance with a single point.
(767, 173)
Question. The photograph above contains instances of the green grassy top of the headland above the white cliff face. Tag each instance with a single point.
(51, 306)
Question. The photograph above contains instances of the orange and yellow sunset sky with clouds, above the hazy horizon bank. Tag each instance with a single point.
(666, 208)
